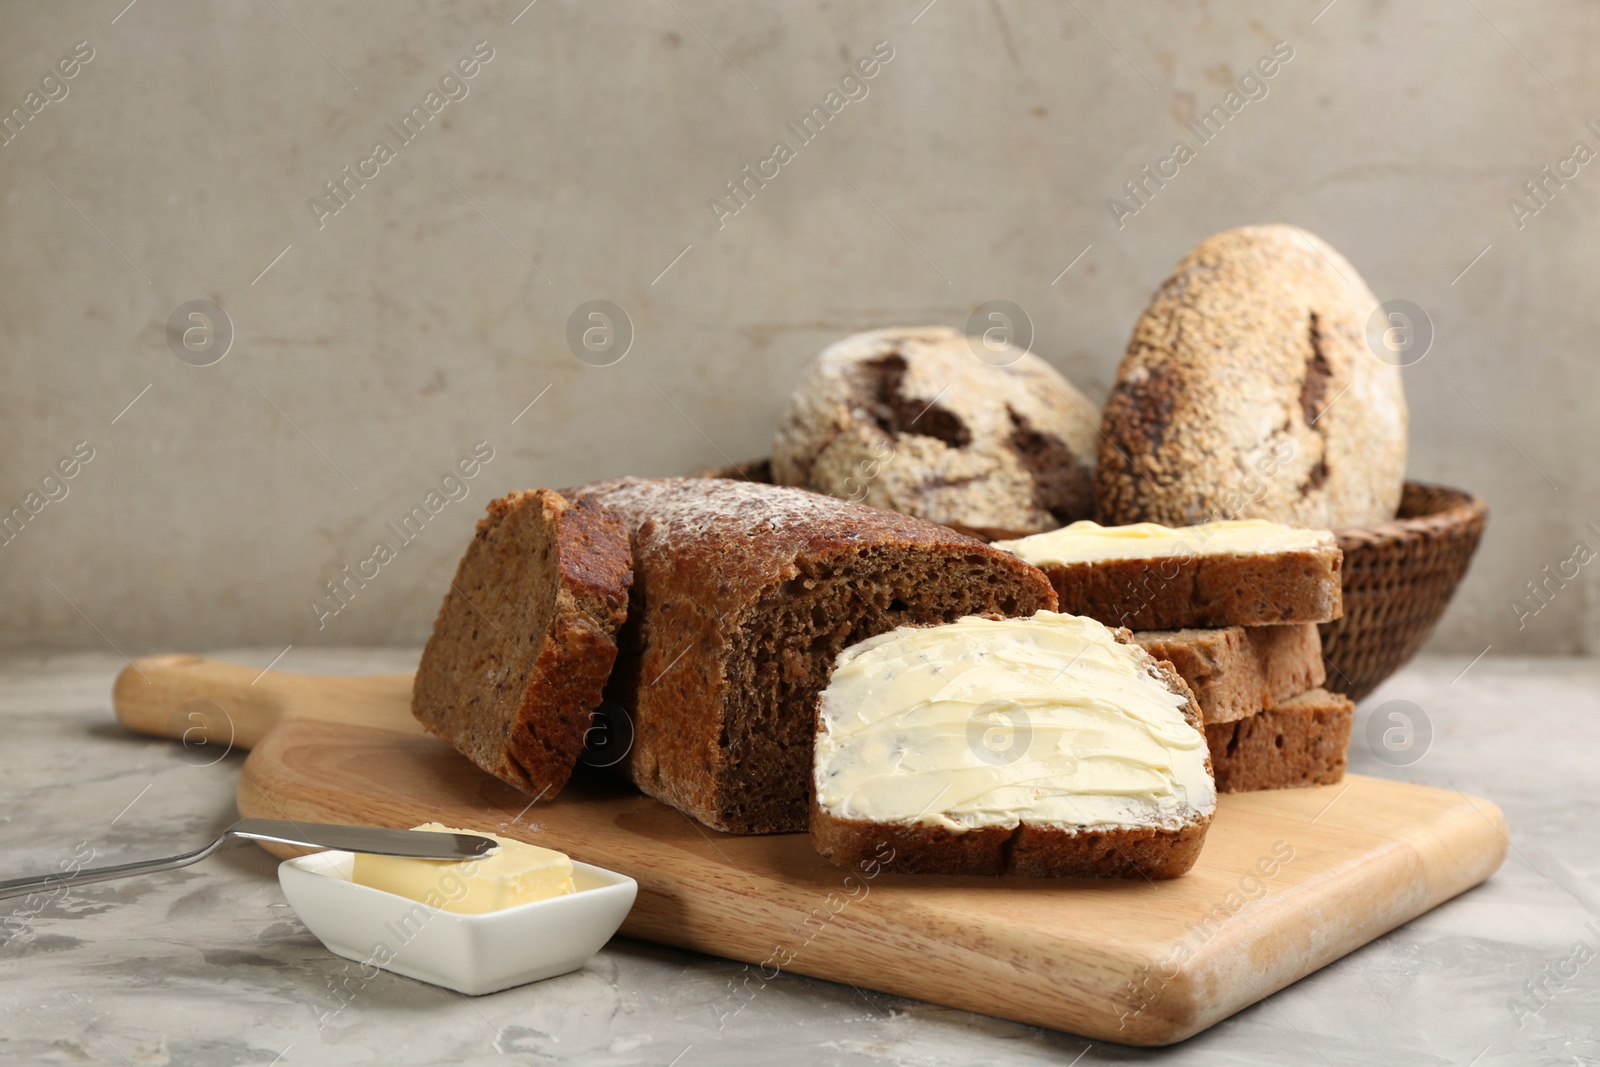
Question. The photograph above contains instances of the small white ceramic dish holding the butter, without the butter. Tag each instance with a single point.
(473, 954)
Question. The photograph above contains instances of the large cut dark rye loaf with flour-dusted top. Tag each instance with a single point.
(743, 597)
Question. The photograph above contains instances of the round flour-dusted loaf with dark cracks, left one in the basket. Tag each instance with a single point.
(910, 420)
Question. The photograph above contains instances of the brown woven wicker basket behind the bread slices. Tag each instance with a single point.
(1399, 578)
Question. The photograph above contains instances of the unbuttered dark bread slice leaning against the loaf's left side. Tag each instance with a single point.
(526, 639)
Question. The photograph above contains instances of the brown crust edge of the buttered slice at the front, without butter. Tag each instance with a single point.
(1041, 852)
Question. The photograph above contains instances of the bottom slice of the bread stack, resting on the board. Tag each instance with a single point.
(1305, 741)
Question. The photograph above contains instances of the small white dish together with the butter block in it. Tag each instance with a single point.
(473, 953)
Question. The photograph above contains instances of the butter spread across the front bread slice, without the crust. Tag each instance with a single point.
(1052, 721)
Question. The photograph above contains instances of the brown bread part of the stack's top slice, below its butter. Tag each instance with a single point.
(1204, 591)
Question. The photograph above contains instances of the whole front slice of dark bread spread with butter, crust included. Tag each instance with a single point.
(1042, 746)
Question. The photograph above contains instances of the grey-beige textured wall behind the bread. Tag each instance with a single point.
(377, 346)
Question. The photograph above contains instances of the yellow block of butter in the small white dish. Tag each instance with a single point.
(513, 874)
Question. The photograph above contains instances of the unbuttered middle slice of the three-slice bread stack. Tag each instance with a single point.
(1239, 671)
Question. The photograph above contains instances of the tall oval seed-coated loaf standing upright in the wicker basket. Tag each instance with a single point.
(1249, 391)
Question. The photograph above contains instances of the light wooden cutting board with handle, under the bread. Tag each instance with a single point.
(1289, 881)
